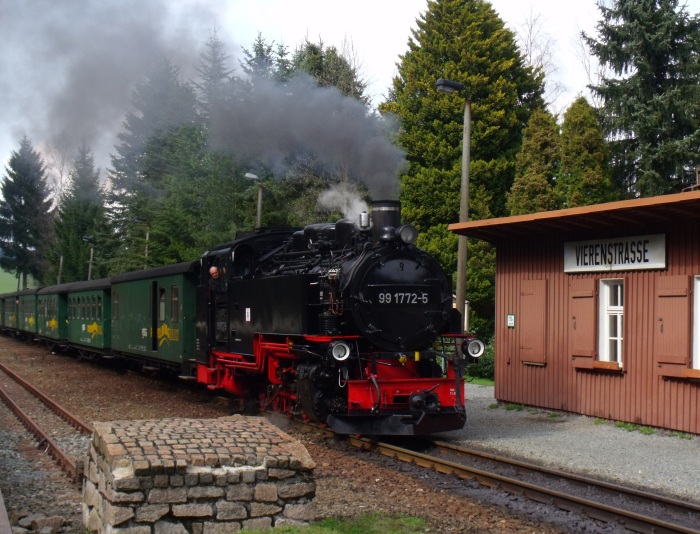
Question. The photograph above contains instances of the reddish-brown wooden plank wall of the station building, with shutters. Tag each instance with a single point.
(554, 364)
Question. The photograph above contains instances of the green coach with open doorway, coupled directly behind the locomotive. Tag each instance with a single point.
(153, 316)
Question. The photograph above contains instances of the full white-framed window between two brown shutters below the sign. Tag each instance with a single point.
(608, 314)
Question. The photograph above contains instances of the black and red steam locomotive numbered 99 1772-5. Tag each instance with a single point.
(347, 323)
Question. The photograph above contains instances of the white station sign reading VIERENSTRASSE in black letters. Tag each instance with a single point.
(618, 254)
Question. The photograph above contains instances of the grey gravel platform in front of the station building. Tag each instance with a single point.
(664, 462)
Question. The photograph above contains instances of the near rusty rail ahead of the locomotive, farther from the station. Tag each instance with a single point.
(593, 509)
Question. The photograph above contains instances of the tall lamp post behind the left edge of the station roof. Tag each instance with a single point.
(448, 86)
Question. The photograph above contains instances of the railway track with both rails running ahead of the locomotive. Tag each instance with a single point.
(636, 510)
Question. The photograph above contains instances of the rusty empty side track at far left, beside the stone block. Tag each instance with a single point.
(38, 412)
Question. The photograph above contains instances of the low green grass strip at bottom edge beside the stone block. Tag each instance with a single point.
(364, 524)
